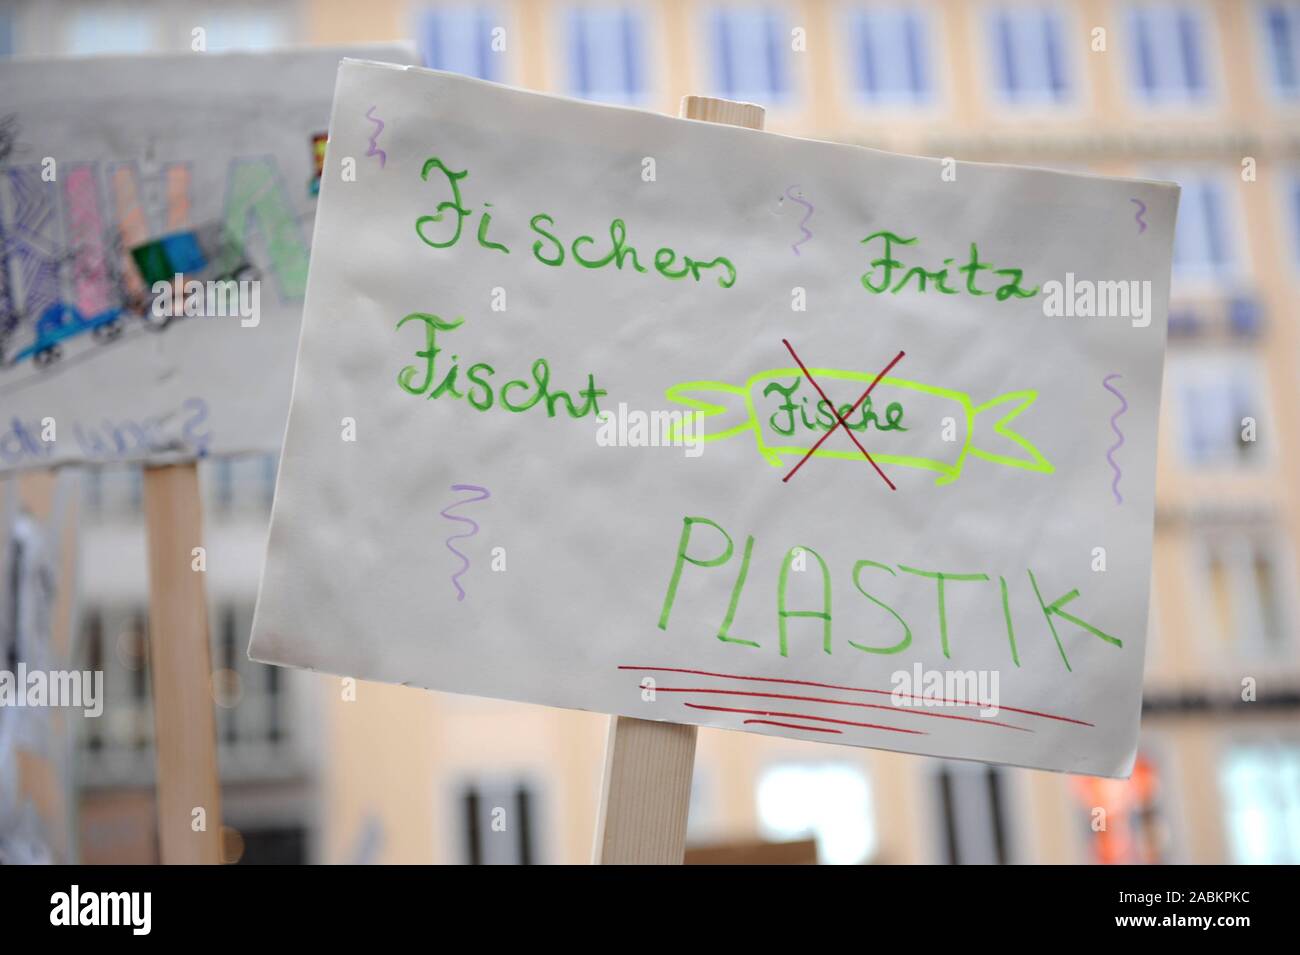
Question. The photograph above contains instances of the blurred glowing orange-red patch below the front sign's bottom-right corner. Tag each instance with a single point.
(1124, 819)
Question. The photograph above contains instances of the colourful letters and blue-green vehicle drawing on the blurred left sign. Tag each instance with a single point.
(88, 279)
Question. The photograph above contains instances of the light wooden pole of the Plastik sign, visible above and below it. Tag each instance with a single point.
(648, 766)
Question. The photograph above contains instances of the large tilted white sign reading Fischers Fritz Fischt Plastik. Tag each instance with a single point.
(482, 490)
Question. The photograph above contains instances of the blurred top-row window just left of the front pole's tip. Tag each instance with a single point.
(606, 58)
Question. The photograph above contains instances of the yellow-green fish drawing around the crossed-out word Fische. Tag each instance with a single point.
(900, 423)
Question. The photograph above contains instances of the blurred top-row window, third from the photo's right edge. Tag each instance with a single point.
(1029, 57)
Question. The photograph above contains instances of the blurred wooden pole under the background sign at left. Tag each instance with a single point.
(185, 727)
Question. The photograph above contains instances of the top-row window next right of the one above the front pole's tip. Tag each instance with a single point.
(891, 58)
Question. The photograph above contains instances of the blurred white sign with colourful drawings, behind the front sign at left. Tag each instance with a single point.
(118, 175)
